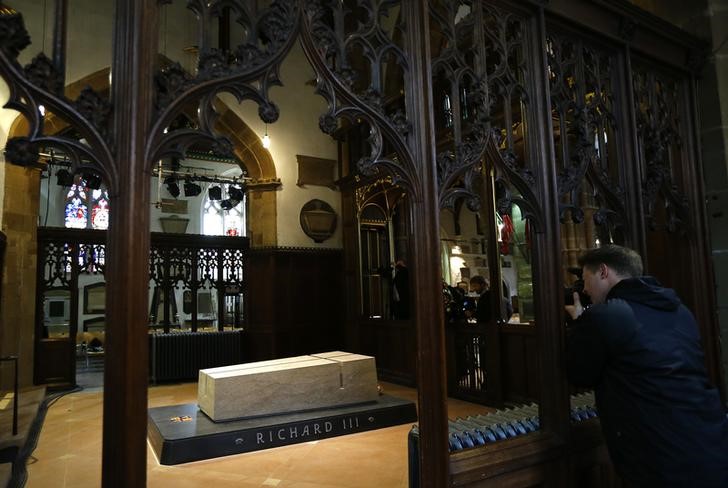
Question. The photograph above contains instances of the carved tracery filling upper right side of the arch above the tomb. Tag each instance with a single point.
(357, 48)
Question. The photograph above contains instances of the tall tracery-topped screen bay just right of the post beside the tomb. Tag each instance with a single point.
(482, 80)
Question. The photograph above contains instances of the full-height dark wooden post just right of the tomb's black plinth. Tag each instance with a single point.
(429, 314)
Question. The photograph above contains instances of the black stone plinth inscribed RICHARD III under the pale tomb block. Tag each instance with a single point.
(183, 433)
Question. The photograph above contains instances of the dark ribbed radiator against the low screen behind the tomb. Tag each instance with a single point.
(180, 355)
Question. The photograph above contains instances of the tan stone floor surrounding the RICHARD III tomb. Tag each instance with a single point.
(69, 451)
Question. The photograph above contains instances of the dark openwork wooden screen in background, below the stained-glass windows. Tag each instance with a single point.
(176, 261)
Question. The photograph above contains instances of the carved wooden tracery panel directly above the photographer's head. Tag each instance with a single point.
(589, 113)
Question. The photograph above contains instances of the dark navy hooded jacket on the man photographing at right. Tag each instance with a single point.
(663, 422)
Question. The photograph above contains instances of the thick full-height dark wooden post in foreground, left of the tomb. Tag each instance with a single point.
(125, 376)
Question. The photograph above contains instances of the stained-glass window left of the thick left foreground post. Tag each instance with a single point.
(79, 199)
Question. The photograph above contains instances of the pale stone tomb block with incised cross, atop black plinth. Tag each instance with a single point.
(287, 385)
